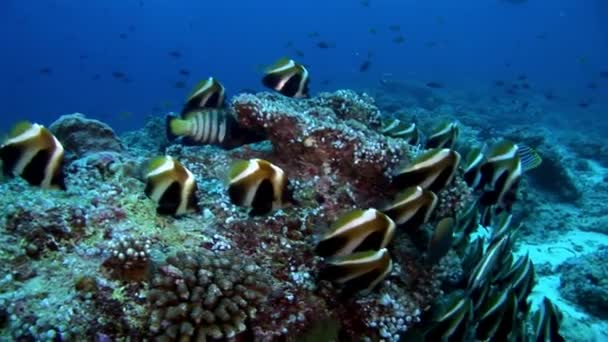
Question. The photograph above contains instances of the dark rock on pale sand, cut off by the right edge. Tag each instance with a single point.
(584, 280)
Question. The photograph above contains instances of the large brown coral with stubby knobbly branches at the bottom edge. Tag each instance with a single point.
(209, 294)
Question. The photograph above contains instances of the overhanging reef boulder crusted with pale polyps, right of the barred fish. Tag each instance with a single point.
(332, 130)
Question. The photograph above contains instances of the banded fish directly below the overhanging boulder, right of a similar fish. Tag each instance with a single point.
(258, 184)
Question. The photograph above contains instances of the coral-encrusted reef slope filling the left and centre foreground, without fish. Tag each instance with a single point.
(107, 267)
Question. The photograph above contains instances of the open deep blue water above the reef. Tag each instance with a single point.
(559, 44)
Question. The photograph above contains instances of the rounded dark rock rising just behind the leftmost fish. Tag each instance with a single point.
(80, 135)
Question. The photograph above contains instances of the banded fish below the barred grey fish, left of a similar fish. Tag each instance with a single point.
(172, 186)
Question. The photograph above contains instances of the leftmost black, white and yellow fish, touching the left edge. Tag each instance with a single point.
(34, 153)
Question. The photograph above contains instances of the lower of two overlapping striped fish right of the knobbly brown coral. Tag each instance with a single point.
(360, 271)
